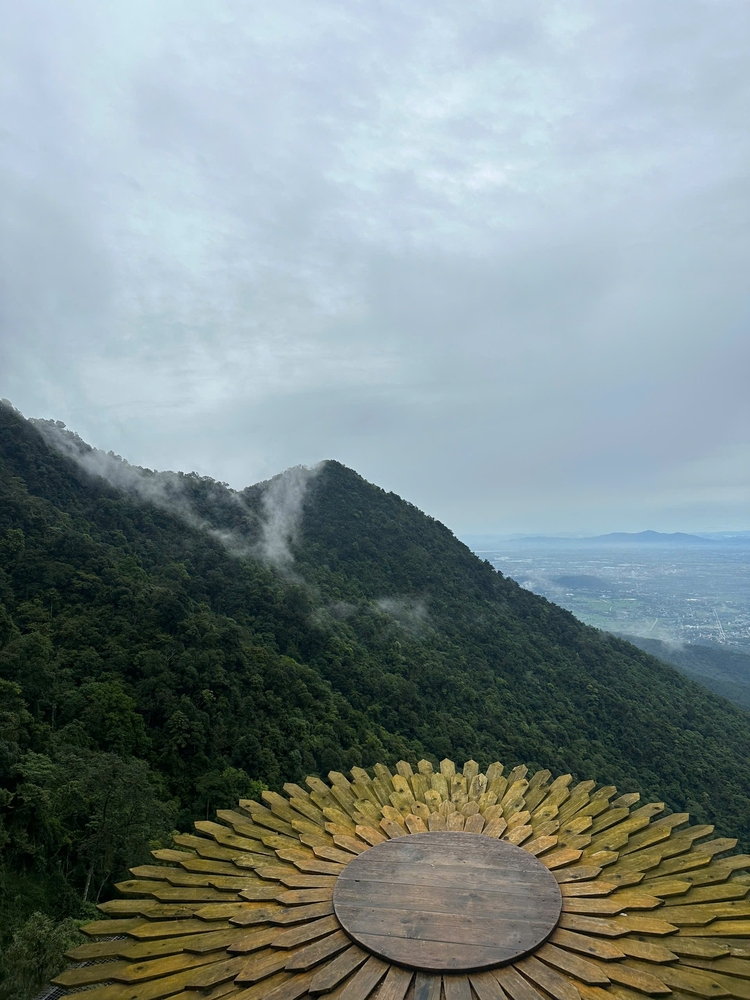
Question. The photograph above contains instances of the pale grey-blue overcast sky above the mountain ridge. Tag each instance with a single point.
(493, 255)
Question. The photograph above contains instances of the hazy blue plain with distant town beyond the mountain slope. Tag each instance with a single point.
(670, 587)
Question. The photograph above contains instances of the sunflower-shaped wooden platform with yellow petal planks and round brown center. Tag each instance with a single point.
(258, 905)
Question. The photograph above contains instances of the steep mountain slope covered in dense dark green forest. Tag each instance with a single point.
(154, 666)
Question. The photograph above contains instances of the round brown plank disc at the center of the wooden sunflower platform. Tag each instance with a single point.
(447, 901)
